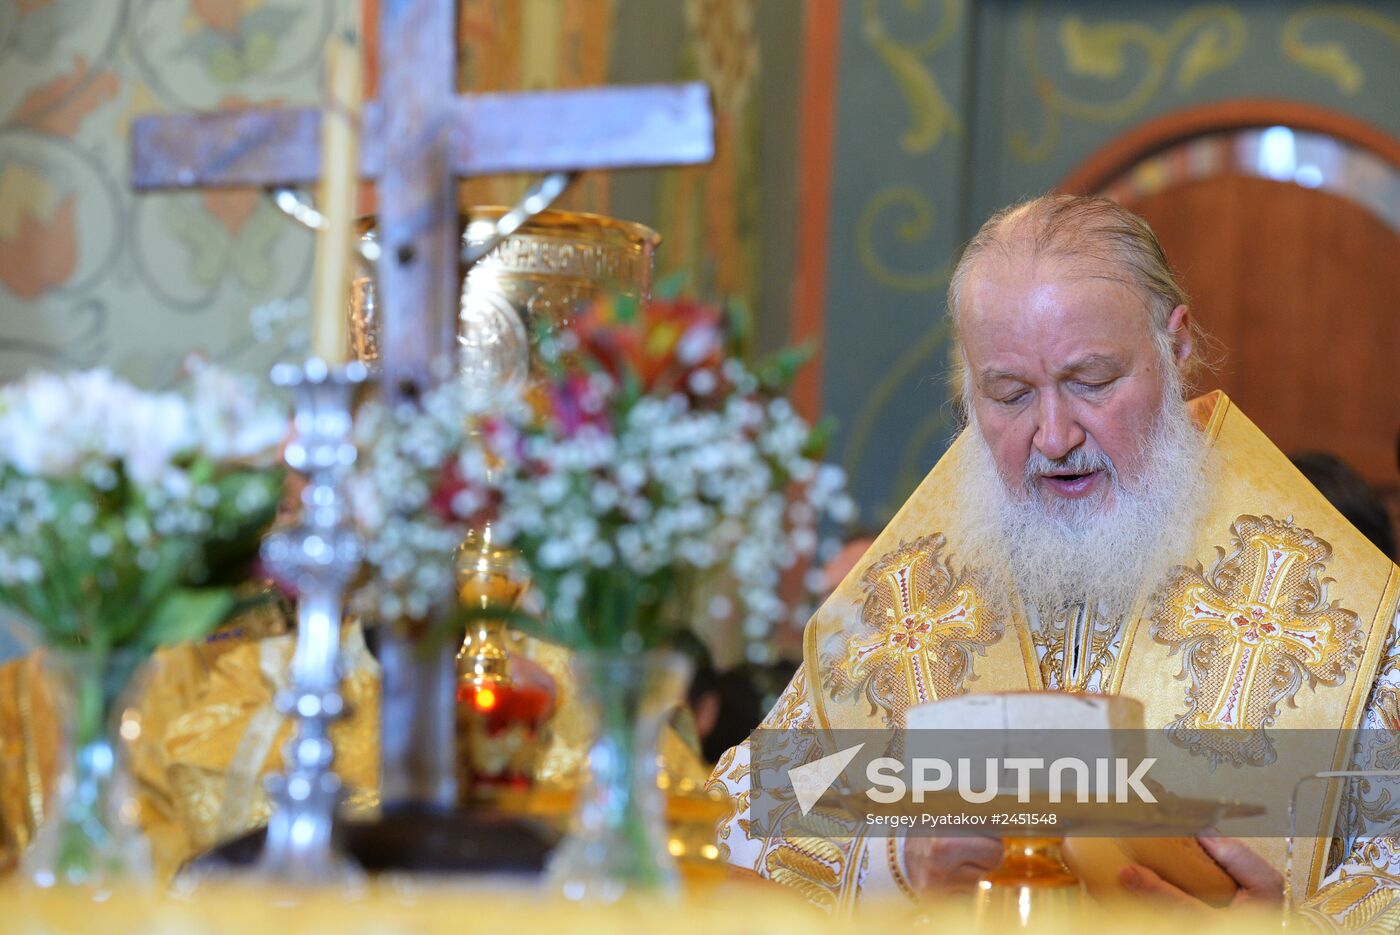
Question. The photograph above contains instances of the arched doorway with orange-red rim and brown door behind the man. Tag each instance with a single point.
(1284, 223)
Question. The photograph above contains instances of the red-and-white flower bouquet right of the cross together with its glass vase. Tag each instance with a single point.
(649, 474)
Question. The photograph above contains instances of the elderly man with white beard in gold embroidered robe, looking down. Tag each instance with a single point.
(1052, 548)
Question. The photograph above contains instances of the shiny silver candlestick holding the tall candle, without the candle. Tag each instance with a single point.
(320, 556)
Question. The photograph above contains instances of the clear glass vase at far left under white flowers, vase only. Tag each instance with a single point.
(92, 834)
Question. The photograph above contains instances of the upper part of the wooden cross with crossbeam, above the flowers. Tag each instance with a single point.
(416, 141)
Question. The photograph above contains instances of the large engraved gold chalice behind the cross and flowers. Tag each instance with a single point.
(528, 282)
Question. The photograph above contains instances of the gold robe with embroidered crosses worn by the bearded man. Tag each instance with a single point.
(1272, 568)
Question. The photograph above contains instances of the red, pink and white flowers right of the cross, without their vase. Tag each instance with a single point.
(652, 470)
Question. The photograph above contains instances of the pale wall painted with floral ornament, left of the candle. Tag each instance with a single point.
(90, 275)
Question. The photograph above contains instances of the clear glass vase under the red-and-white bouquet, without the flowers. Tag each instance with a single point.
(618, 845)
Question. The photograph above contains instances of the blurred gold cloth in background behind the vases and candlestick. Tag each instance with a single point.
(211, 734)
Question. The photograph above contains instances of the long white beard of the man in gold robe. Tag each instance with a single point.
(1102, 551)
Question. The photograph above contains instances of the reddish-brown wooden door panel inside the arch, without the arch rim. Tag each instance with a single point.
(1303, 292)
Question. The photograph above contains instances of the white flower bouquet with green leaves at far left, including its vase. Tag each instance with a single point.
(127, 521)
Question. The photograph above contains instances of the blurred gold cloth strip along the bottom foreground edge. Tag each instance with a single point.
(736, 909)
